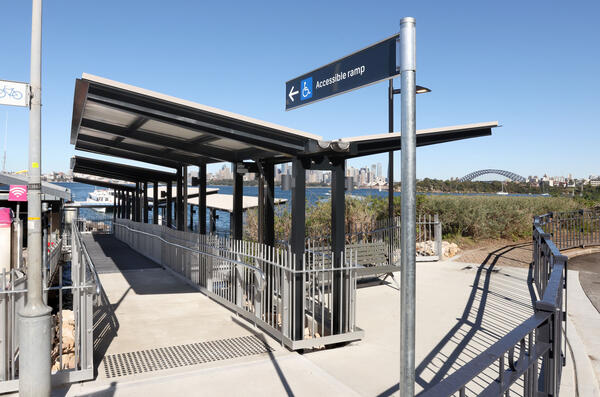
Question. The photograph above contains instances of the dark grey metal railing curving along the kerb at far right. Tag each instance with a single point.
(529, 359)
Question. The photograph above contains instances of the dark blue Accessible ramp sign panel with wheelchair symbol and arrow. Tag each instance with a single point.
(365, 67)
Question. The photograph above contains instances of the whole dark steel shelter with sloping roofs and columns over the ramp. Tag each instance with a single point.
(116, 119)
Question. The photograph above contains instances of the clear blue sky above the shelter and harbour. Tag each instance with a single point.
(530, 65)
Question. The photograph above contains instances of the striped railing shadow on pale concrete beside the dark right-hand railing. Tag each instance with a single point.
(494, 308)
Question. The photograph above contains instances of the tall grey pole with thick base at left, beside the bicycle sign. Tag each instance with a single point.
(34, 327)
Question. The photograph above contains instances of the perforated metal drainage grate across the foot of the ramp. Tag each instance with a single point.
(123, 364)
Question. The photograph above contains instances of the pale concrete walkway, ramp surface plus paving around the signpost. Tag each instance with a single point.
(461, 310)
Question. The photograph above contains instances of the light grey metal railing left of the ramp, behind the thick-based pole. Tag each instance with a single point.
(72, 355)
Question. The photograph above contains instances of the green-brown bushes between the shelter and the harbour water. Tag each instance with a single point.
(473, 217)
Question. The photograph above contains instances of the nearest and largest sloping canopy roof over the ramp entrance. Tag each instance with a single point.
(130, 122)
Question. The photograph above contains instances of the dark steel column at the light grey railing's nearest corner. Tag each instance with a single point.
(297, 243)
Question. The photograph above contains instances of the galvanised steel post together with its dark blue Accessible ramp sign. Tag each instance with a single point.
(368, 66)
